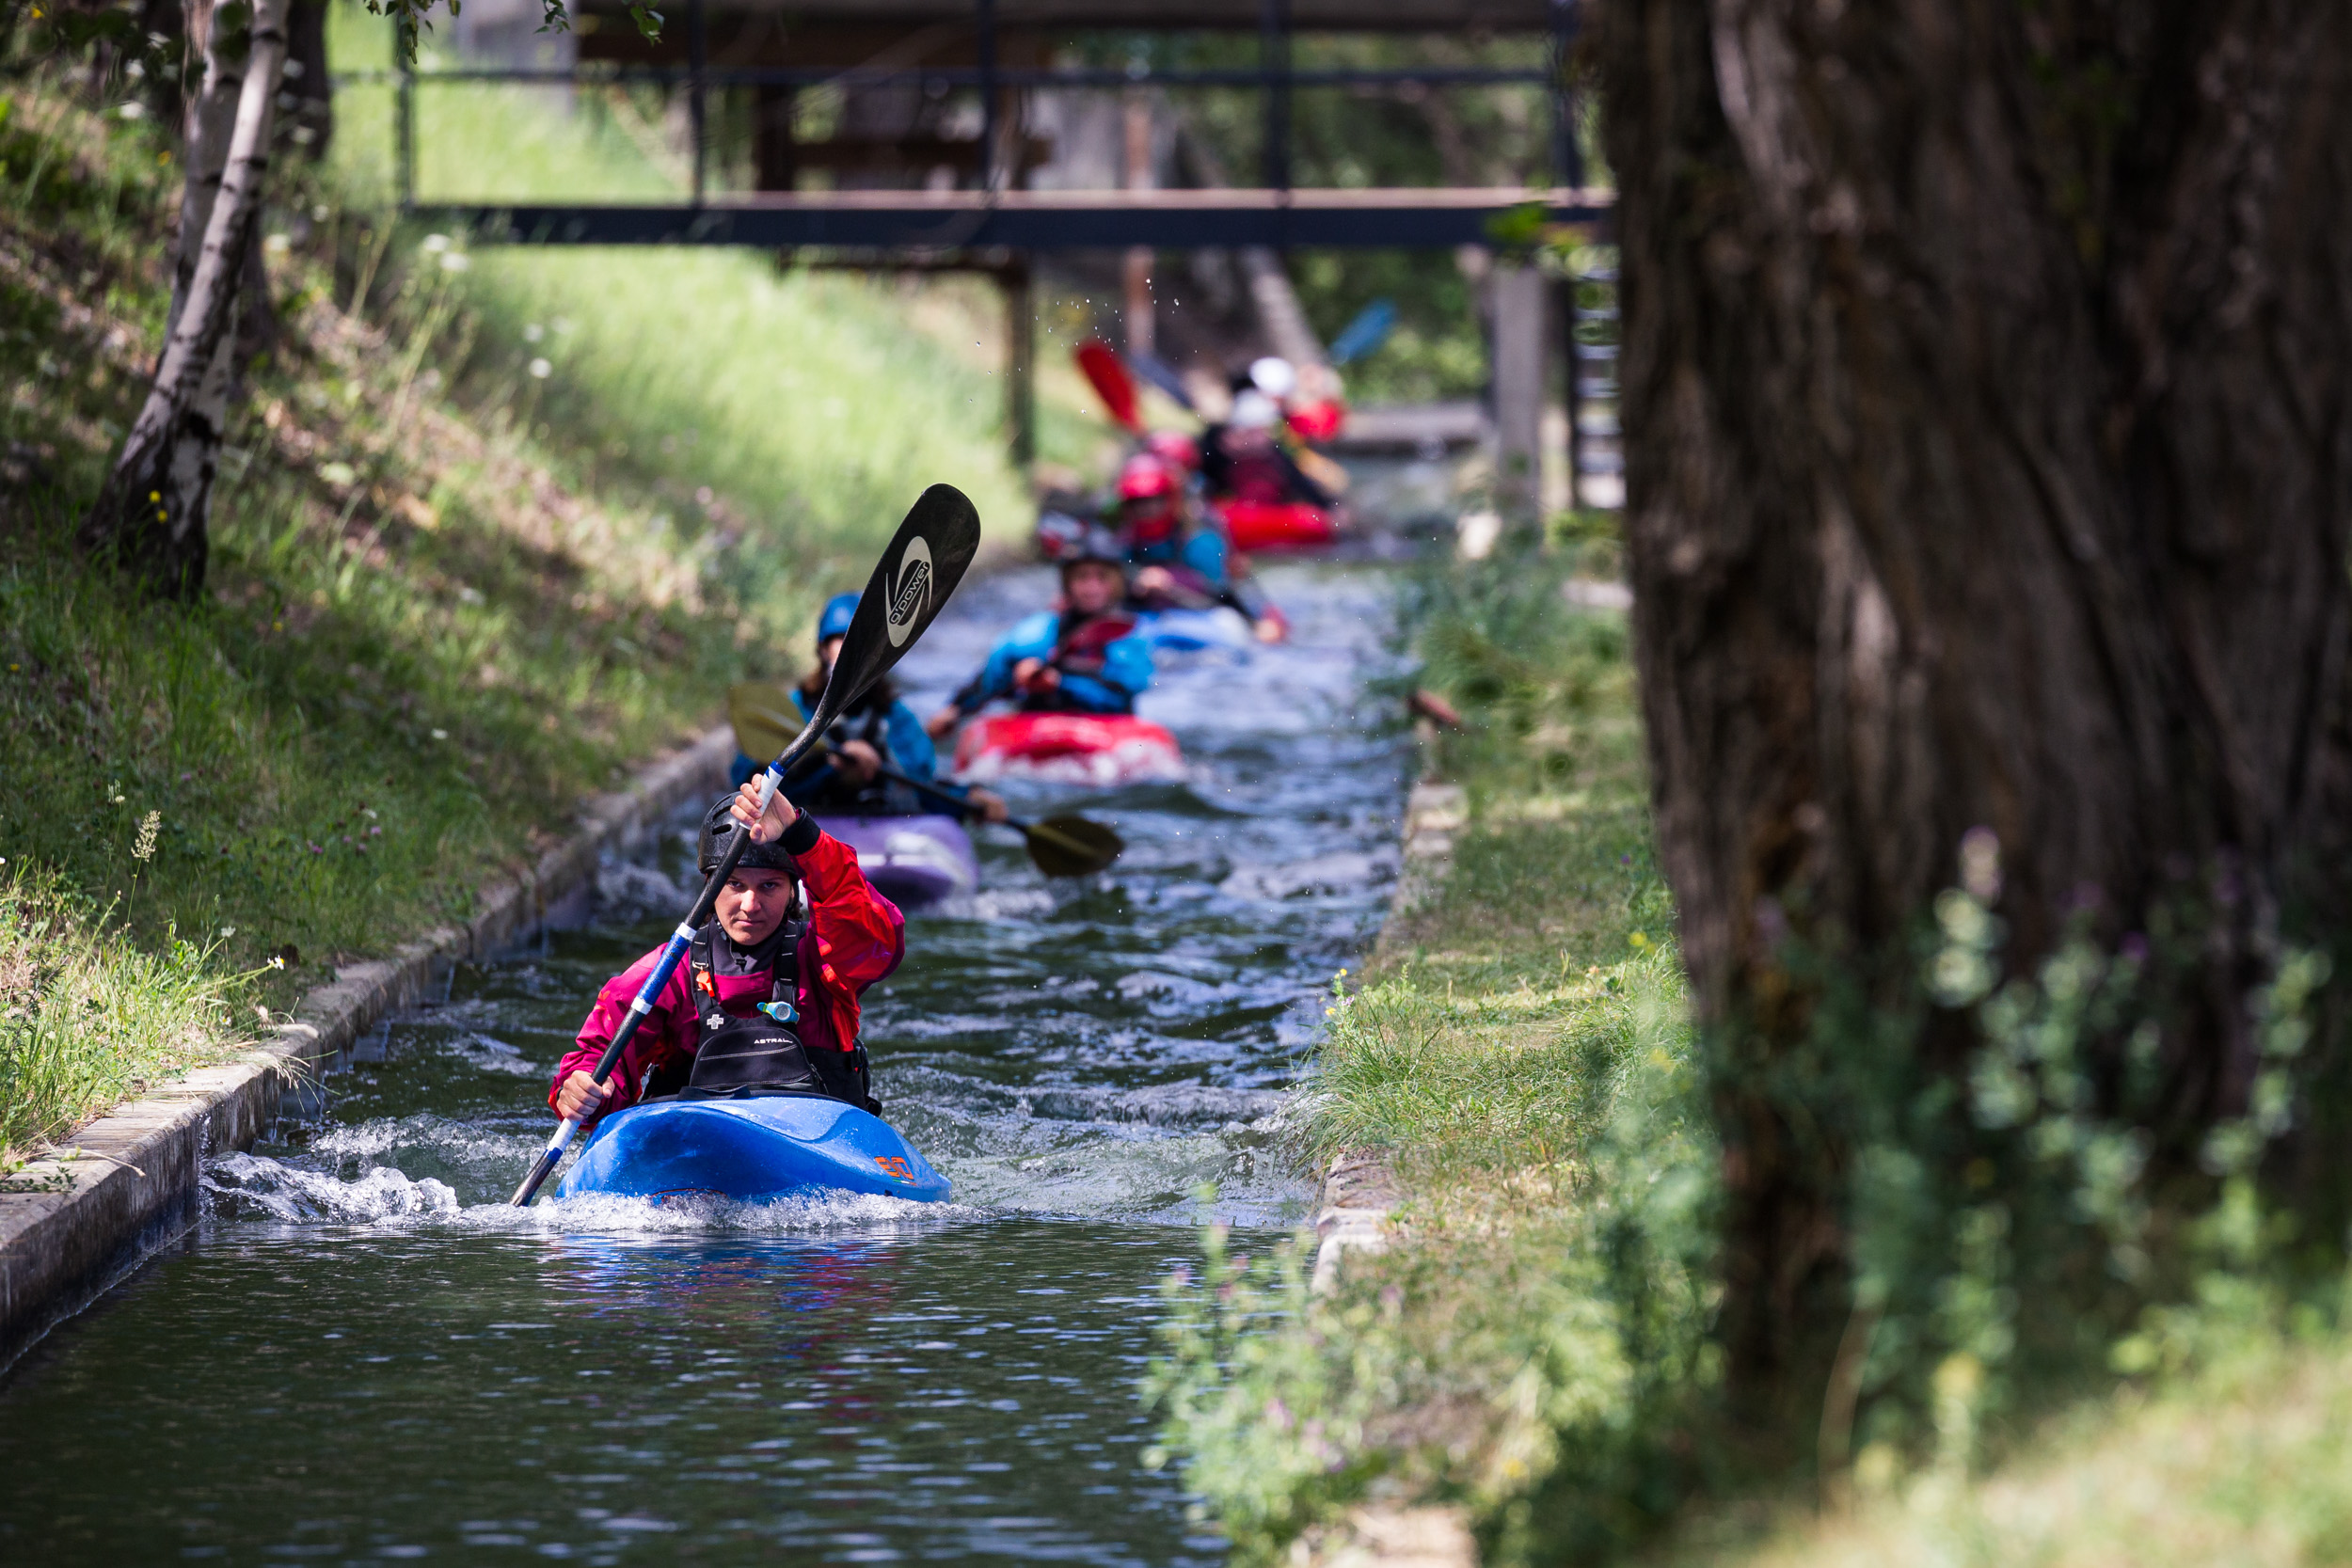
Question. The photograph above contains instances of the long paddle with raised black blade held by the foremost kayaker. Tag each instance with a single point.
(909, 589)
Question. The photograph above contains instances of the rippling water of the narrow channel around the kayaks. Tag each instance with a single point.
(366, 1358)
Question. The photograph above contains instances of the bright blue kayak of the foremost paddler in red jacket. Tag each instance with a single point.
(751, 1151)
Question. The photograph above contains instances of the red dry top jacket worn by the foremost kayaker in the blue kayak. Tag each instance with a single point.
(855, 939)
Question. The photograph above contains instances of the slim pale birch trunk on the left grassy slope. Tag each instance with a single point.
(154, 509)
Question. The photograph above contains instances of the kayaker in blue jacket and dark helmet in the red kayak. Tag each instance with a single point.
(1078, 659)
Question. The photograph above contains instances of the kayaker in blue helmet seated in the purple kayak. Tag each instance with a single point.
(878, 735)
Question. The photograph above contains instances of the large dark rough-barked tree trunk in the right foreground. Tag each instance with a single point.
(1989, 464)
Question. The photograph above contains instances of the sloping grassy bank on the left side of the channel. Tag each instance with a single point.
(490, 532)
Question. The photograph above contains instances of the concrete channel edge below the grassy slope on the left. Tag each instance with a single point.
(74, 1224)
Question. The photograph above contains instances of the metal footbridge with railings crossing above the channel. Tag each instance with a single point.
(897, 182)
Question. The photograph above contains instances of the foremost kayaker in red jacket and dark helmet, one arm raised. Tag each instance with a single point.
(770, 989)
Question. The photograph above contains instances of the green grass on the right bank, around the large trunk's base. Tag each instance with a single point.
(1537, 1353)
